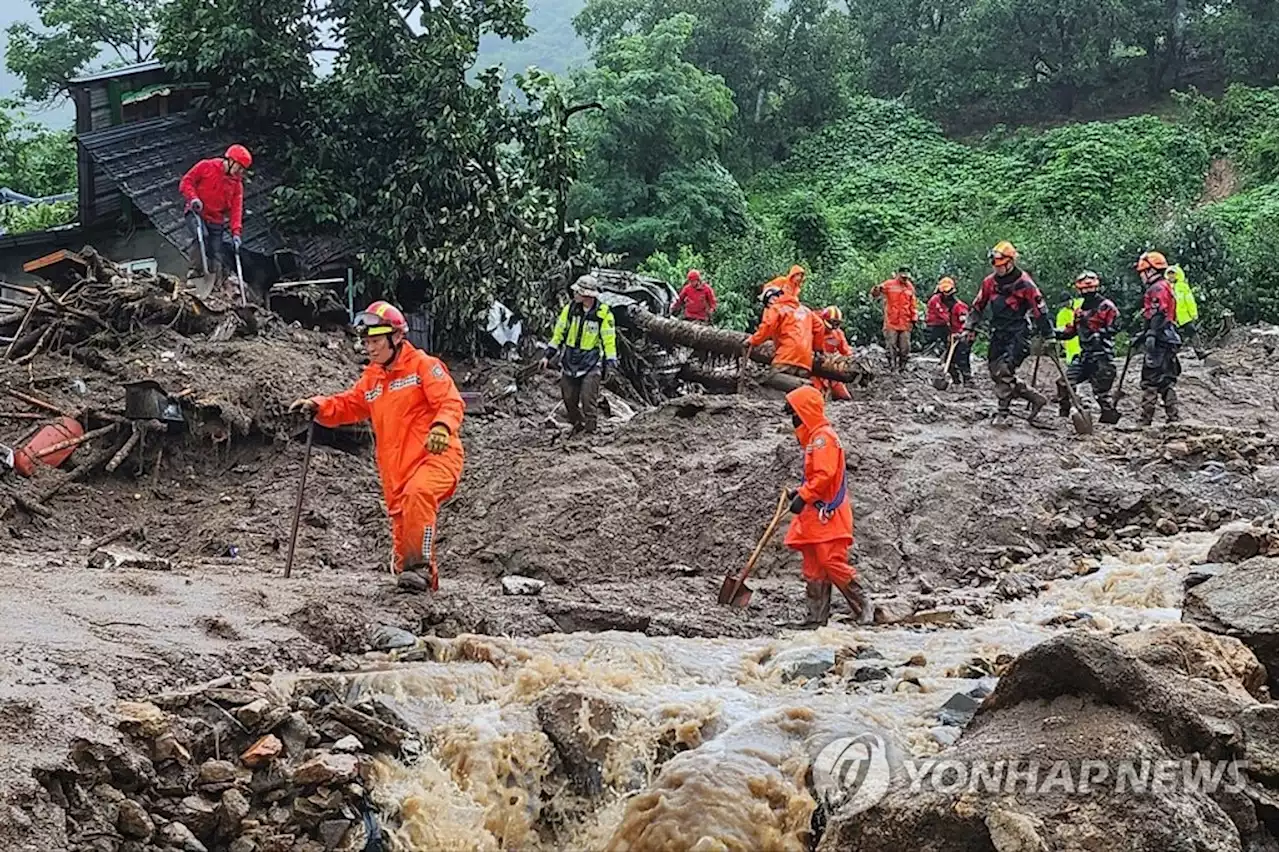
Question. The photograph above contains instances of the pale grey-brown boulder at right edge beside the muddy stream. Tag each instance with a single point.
(1244, 602)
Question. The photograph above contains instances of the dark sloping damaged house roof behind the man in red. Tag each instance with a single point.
(148, 159)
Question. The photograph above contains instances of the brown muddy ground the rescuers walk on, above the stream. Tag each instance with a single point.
(632, 532)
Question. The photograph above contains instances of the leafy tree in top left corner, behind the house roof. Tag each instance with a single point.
(74, 35)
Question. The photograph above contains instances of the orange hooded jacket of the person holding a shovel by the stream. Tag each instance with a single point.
(829, 515)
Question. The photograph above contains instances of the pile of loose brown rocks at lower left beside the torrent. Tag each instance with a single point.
(232, 766)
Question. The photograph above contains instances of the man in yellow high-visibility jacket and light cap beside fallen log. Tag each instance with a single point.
(586, 340)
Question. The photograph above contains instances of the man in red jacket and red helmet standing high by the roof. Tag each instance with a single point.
(214, 193)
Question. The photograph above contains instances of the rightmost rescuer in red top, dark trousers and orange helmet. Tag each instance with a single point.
(1159, 340)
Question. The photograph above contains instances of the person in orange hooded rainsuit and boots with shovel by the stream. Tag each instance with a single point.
(822, 529)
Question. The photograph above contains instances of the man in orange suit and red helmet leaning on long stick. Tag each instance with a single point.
(417, 415)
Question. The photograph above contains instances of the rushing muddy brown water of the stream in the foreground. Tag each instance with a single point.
(744, 736)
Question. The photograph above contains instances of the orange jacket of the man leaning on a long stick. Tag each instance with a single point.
(404, 402)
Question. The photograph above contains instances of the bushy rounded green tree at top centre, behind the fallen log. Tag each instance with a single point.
(653, 177)
